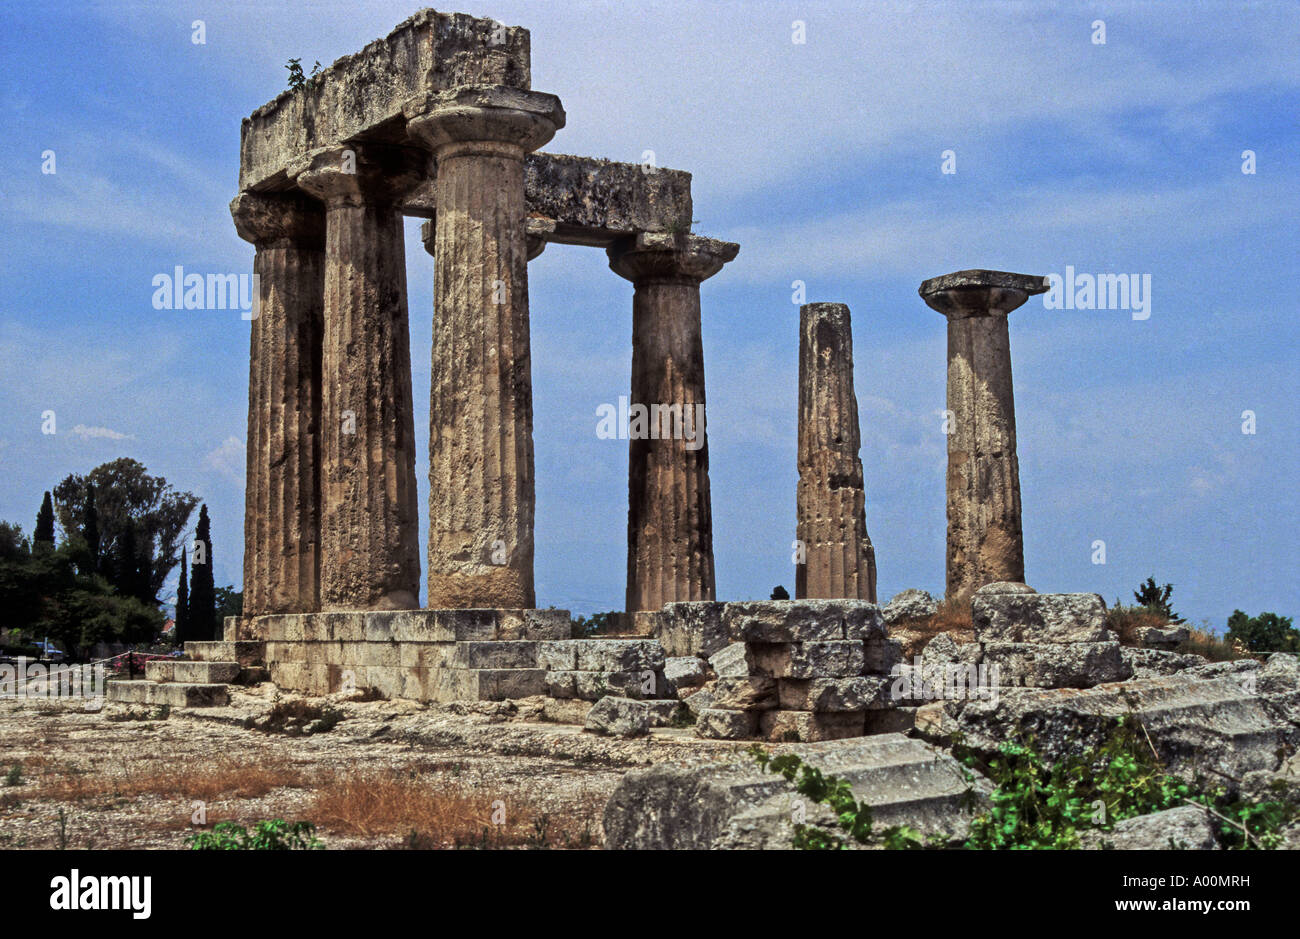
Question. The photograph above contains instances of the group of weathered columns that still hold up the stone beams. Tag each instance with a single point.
(331, 512)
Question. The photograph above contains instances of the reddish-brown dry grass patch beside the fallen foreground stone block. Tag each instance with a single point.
(439, 813)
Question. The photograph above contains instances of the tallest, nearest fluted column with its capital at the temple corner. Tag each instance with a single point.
(482, 488)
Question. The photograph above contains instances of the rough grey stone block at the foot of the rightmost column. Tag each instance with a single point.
(1039, 618)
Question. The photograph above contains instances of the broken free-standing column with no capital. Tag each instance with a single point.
(839, 561)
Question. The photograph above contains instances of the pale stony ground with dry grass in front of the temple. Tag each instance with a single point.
(374, 774)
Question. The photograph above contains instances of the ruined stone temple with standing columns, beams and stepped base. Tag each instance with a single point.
(440, 122)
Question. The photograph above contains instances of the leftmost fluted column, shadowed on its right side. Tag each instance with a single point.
(283, 483)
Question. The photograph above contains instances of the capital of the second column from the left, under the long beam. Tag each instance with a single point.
(361, 174)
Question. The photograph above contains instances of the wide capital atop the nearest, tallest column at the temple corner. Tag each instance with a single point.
(517, 122)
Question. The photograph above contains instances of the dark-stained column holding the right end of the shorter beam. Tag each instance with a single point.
(670, 516)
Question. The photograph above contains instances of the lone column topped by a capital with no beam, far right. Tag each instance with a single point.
(986, 543)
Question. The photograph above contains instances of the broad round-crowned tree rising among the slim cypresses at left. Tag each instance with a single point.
(127, 497)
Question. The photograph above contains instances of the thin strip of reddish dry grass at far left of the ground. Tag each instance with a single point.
(207, 781)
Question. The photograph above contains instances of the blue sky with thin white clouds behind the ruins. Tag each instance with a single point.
(824, 161)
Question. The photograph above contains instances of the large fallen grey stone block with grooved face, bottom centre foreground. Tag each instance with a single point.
(738, 806)
